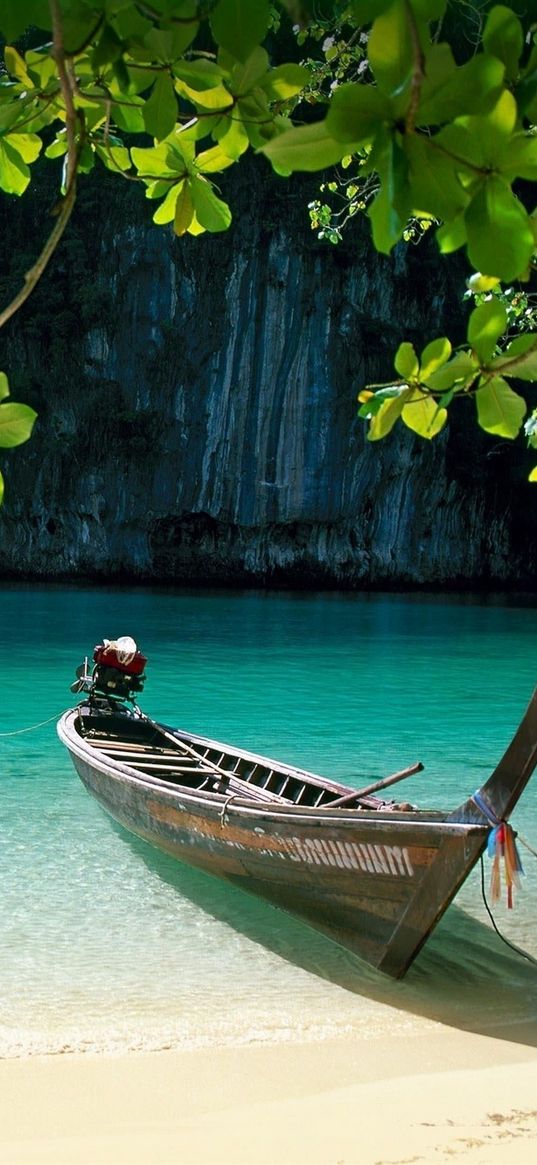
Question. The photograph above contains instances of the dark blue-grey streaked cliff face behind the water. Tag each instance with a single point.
(197, 409)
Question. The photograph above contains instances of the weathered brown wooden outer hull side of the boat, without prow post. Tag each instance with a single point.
(376, 882)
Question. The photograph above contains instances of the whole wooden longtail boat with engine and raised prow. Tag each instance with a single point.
(373, 875)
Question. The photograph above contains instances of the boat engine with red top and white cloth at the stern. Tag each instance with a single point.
(118, 670)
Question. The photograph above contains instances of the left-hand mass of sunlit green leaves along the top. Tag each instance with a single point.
(193, 79)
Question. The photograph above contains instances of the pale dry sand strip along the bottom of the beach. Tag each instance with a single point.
(441, 1096)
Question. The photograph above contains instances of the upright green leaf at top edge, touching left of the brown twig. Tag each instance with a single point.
(391, 50)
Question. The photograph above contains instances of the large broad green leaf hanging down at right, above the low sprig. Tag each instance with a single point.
(500, 237)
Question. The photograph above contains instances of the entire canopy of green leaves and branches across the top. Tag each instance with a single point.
(171, 94)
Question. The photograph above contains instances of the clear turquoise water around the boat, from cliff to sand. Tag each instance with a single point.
(107, 945)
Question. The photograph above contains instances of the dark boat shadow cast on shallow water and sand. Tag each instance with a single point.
(465, 978)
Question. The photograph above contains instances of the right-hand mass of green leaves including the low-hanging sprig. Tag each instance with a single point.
(437, 144)
